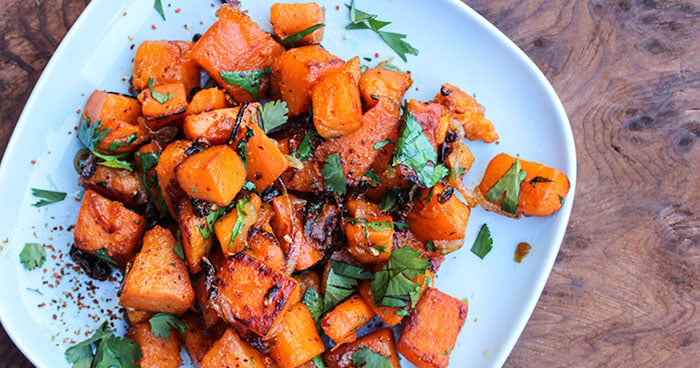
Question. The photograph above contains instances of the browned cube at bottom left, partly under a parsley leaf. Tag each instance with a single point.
(157, 352)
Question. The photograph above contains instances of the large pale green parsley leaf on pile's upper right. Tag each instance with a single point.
(413, 150)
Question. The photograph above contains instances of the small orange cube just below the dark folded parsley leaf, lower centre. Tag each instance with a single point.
(345, 319)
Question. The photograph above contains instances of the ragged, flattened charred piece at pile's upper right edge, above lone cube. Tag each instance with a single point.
(464, 111)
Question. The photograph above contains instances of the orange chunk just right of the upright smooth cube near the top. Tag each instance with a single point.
(382, 82)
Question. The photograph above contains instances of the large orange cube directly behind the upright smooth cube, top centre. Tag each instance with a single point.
(297, 70)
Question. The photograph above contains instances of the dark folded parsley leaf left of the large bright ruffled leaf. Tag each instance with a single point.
(341, 282)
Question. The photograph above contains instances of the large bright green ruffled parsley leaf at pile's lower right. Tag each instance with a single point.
(392, 286)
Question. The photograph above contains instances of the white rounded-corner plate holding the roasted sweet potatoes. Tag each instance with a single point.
(456, 46)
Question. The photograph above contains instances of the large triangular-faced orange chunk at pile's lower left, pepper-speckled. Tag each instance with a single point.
(158, 280)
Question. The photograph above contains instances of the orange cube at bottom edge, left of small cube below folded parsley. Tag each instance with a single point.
(298, 341)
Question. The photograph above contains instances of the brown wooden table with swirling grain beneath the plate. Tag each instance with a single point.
(624, 289)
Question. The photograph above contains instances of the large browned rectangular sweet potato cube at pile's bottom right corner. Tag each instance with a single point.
(431, 330)
